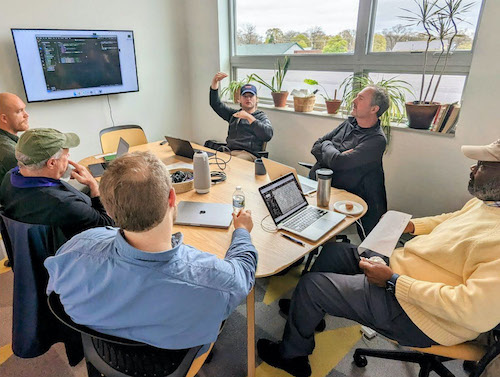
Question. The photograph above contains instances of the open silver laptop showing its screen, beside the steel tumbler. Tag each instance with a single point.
(290, 210)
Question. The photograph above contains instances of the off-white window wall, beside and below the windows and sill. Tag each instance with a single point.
(425, 174)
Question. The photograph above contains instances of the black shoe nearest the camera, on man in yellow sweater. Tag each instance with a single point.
(270, 353)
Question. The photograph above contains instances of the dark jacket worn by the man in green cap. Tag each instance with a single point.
(61, 205)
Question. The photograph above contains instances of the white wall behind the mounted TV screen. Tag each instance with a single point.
(159, 106)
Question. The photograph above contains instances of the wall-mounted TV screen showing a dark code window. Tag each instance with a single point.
(57, 64)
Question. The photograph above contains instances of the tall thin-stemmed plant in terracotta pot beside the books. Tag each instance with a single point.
(440, 23)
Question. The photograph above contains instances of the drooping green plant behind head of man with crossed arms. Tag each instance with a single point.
(396, 89)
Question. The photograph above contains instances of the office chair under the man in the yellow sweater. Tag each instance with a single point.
(477, 357)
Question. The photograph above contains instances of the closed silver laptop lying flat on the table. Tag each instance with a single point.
(211, 215)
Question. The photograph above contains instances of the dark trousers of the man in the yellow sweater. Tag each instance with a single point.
(337, 286)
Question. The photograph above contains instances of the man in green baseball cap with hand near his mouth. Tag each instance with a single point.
(34, 193)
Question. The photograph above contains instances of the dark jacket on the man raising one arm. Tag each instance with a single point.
(241, 134)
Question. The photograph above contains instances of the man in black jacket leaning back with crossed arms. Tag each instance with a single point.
(354, 152)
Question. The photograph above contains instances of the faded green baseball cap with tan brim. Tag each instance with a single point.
(42, 143)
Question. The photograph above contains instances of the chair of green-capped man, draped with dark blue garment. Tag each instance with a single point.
(34, 328)
